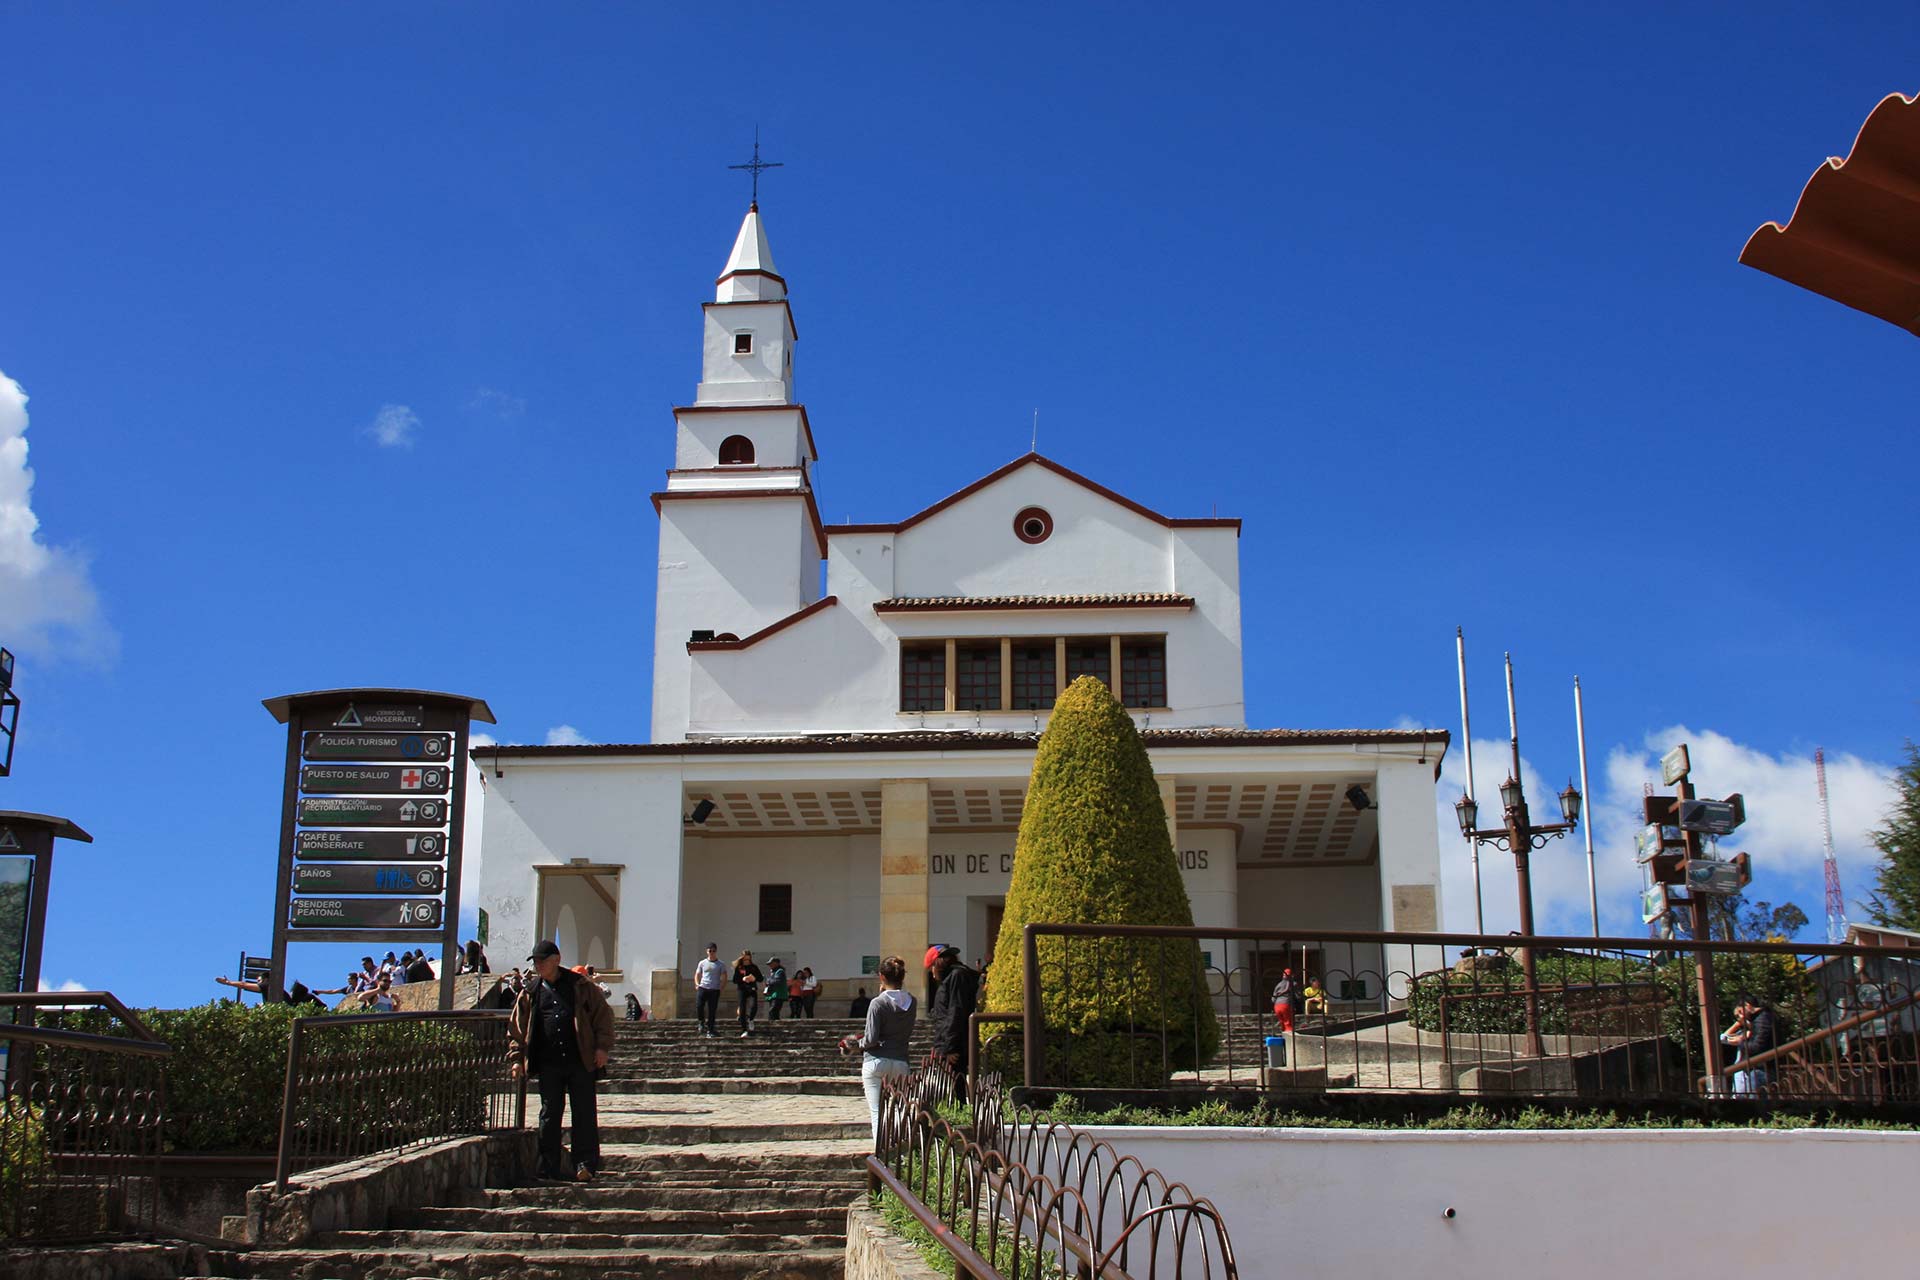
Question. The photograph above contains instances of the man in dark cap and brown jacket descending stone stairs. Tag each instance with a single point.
(564, 1030)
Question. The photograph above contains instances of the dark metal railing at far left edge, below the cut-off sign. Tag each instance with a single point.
(82, 1122)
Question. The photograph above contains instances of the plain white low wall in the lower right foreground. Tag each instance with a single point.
(1573, 1206)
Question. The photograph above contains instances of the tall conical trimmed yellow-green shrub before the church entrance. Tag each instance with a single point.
(1093, 851)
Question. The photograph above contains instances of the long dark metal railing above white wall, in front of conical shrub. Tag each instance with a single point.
(1452, 1014)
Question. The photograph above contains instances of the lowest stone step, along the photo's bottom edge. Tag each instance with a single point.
(823, 1264)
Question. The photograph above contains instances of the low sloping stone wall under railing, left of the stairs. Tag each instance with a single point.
(360, 1195)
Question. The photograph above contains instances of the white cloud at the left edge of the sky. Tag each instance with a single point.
(47, 594)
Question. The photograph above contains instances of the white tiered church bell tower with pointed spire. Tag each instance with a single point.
(740, 533)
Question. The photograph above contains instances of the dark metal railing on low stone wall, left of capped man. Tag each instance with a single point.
(364, 1083)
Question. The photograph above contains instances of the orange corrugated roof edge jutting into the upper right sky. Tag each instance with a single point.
(1856, 231)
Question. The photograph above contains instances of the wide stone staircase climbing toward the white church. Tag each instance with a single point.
(727, 1160)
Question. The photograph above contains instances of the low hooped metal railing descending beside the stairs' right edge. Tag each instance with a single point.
(1013, 1198)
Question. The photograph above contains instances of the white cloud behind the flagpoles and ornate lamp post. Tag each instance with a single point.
(1783, 830)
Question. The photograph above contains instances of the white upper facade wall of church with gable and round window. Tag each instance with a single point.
(842, 673)
